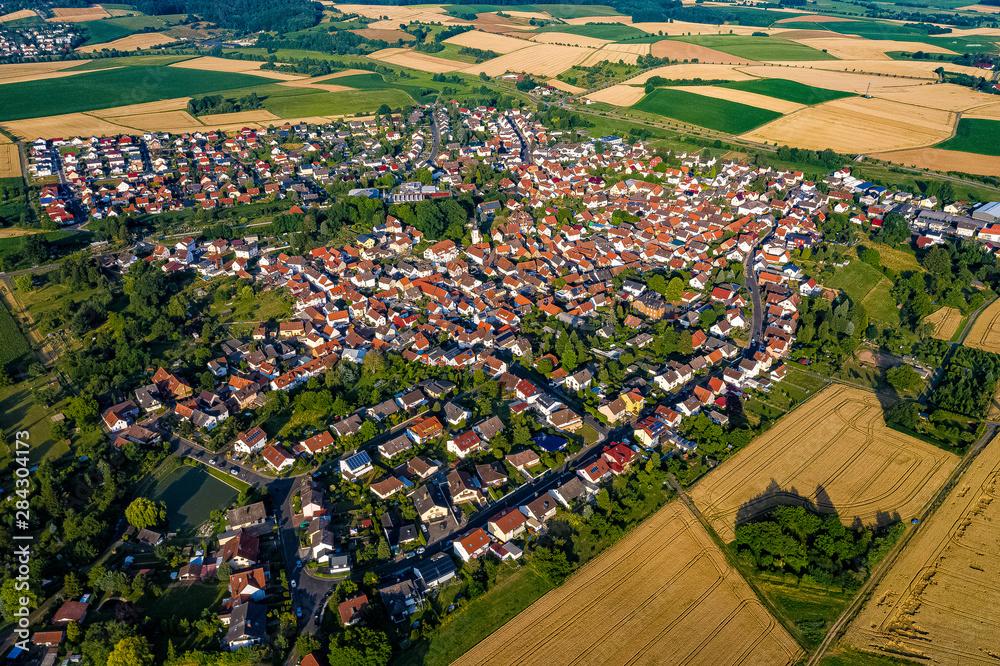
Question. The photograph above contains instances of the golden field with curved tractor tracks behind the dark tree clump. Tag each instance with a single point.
(834, 452)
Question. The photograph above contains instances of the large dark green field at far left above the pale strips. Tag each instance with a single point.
(115, 87)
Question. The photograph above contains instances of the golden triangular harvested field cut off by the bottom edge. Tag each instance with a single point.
(663, 594)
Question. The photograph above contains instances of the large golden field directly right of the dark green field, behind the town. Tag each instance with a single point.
(859, 125)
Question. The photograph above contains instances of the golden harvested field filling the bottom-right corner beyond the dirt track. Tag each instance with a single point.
(933, 605)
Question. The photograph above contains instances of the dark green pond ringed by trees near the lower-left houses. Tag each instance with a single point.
(191, 494)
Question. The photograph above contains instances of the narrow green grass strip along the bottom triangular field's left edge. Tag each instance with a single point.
(485, 615)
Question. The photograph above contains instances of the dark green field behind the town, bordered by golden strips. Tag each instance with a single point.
(717, 114)
